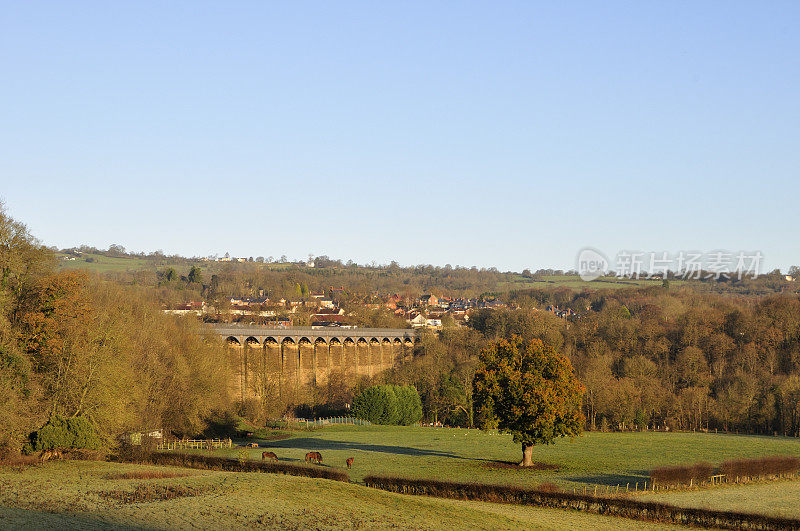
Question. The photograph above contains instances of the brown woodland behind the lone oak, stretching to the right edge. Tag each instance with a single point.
(650, 358)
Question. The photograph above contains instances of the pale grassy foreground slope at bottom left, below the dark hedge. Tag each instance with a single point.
(66, 494)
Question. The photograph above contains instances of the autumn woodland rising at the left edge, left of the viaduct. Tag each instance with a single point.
(73, 345)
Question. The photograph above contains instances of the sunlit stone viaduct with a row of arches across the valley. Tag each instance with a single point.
(291, 362)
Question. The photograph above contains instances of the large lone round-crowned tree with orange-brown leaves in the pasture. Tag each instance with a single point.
(530, 391)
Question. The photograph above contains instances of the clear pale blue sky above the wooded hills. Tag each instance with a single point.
(491, 134)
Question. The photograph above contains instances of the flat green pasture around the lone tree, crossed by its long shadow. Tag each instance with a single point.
(468, 455)
